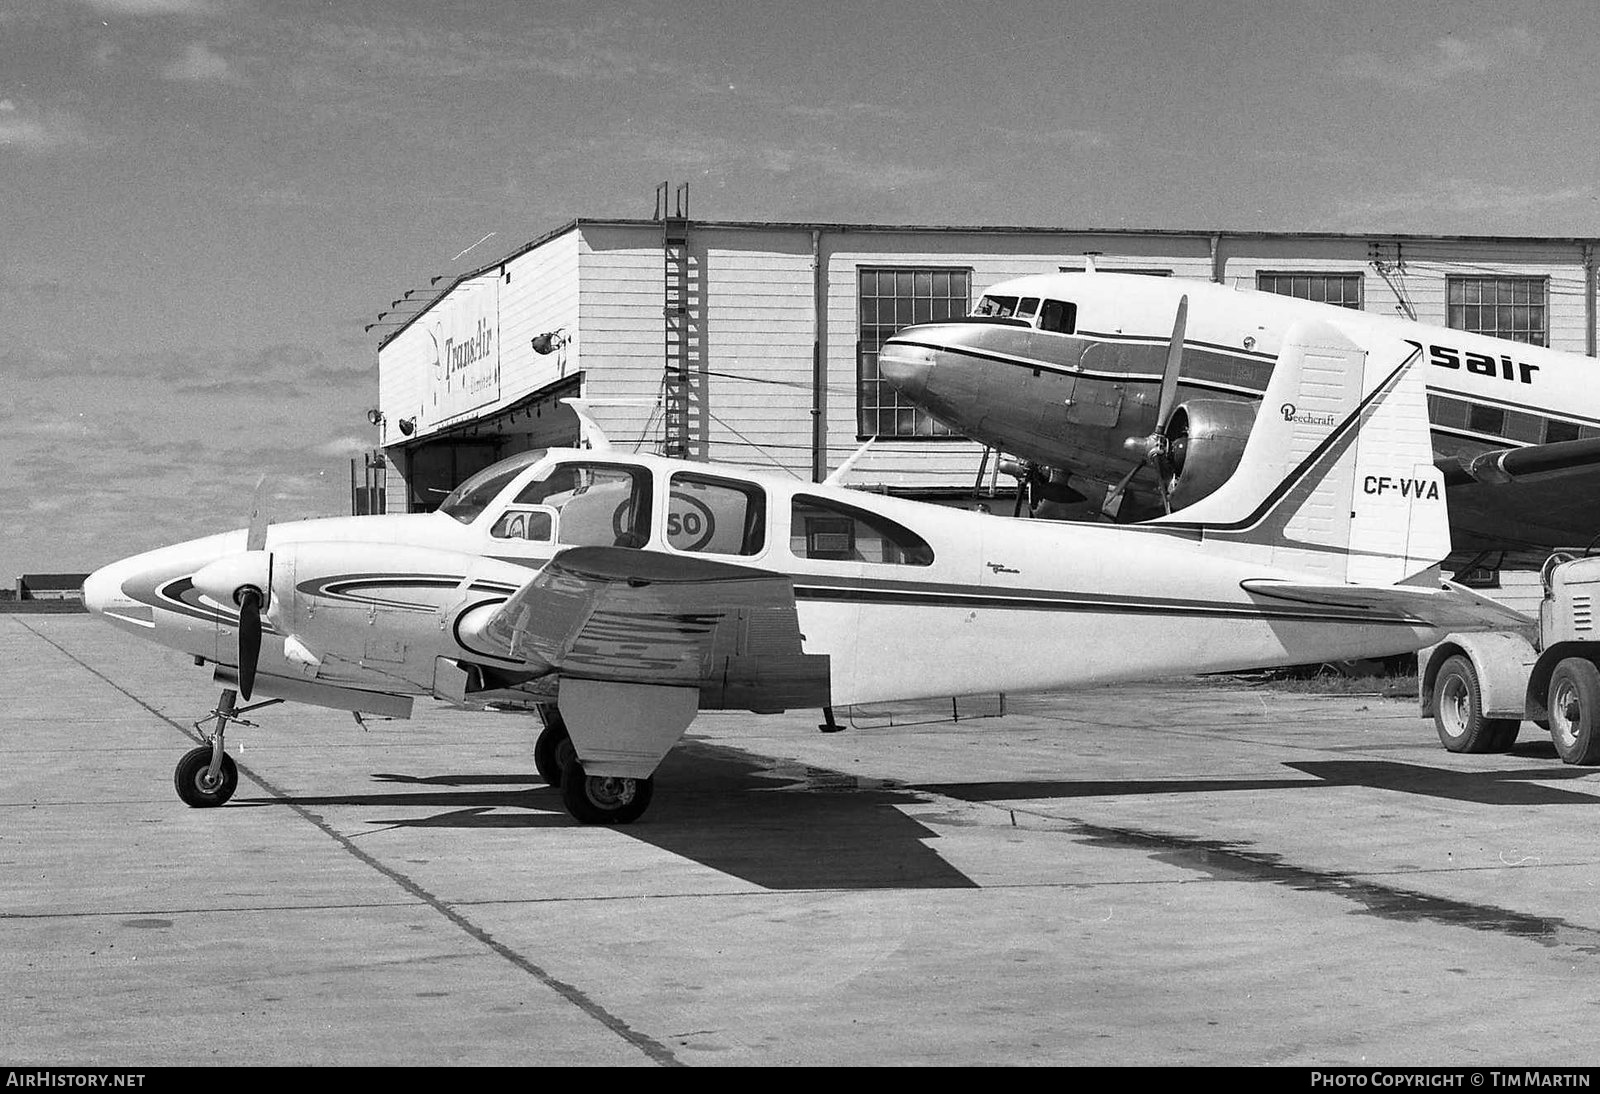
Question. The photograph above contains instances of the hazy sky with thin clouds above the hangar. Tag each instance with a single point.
(207, 201)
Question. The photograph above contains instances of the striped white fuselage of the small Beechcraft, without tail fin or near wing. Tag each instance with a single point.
(906, 601)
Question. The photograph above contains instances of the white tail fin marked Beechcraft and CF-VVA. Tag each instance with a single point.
(1338, 474)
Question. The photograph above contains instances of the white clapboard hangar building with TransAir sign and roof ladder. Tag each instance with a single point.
(758, 343)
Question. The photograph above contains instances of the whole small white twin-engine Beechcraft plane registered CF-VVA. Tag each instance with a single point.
(618, 594)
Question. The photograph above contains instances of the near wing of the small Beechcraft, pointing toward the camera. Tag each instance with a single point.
(620, 617)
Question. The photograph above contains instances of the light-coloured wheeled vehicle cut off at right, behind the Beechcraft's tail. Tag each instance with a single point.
(1479, 689)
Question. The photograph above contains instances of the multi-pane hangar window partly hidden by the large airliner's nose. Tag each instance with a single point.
(890, 300)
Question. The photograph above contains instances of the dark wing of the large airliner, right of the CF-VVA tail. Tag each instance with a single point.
(1526, 498)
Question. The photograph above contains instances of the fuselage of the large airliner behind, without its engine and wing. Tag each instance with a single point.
(1073, 399)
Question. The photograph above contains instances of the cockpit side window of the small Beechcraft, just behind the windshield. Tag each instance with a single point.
(591, 505)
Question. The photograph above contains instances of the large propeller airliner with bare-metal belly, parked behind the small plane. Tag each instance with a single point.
(1130, 396)
